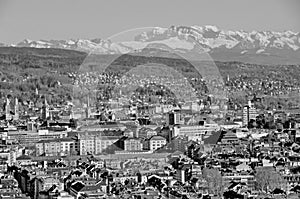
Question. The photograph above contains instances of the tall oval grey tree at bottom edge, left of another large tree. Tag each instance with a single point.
(214, 181)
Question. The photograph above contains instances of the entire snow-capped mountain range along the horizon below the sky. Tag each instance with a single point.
(255, 46)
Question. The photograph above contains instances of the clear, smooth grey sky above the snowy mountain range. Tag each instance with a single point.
(66, 19)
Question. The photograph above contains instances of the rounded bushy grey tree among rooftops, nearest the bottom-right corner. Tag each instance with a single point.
(268, 179)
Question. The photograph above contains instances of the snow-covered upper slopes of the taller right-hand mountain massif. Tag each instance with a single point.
(212, 37)
